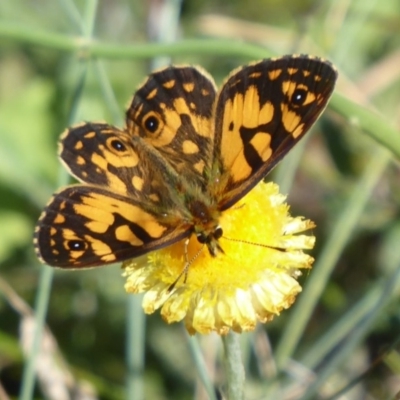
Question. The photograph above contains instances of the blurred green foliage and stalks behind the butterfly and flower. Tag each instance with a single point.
(70, 60)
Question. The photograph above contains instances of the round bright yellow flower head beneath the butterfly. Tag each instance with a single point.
(253, 281)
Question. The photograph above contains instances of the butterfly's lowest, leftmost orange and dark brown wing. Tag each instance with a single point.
(84, 226)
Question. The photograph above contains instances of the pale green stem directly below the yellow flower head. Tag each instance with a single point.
(233, 366)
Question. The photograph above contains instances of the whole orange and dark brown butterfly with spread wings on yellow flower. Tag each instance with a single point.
(187, 153)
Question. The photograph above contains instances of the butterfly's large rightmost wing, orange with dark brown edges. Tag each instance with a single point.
(262, 111)
